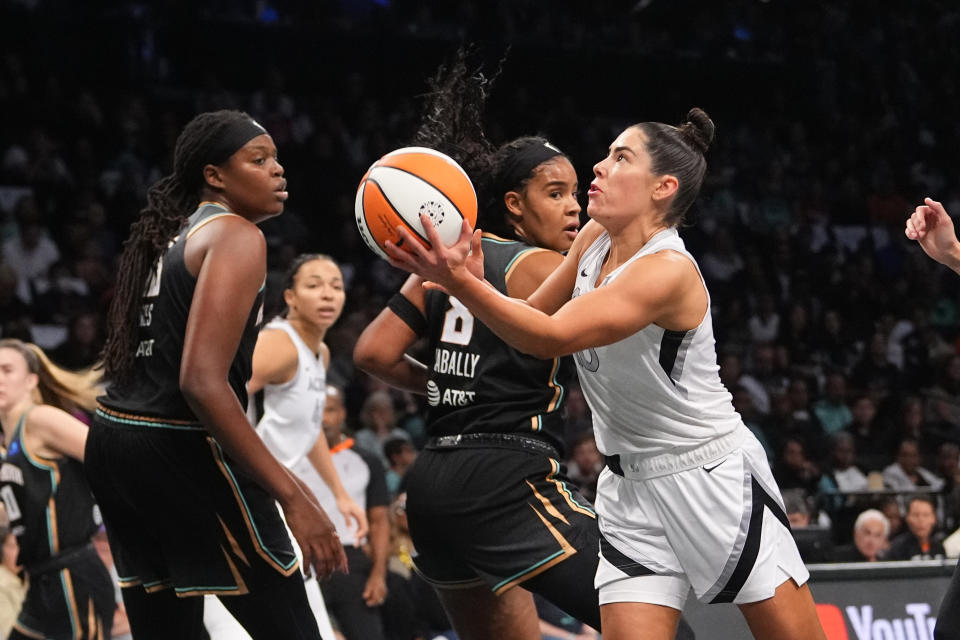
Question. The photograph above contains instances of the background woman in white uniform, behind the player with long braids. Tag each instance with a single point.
(289, 365)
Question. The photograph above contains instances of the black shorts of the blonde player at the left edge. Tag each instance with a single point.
(74, 602)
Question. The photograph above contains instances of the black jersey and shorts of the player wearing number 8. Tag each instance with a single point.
(487, 501)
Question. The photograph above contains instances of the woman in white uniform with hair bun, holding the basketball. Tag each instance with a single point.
(687, 498)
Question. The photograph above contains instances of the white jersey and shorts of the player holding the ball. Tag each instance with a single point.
(696, 504)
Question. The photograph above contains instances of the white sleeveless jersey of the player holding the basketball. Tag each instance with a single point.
(657, 393)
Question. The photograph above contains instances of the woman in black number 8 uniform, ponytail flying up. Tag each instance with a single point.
(488, 503)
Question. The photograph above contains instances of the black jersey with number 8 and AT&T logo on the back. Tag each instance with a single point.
(478, 384)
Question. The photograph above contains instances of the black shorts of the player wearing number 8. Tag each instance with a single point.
(494, 516)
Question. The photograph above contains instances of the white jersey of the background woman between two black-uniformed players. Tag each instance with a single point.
(293, 411)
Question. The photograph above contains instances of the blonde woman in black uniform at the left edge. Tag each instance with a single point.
(70, 594)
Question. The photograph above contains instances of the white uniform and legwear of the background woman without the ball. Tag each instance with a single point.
(291, 423)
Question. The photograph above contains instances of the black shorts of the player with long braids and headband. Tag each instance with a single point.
(179, 514)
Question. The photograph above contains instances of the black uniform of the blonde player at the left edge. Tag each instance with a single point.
(70, 594)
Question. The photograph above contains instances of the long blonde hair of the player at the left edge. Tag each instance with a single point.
(66, 390)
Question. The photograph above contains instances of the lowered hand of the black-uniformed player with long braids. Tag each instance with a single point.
(314, 532)
